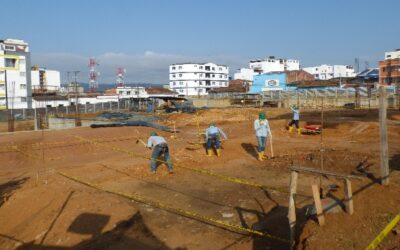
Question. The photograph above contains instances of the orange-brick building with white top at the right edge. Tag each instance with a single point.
(389, 69)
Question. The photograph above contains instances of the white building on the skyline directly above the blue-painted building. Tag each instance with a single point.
(272, 64)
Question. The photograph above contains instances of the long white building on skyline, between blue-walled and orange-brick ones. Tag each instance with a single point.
(326, 72)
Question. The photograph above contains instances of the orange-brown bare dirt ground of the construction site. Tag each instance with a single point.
(42, 209)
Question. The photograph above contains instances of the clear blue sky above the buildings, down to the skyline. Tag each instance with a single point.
(146, 36)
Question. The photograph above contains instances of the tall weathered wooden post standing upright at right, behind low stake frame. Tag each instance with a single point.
(383, 136)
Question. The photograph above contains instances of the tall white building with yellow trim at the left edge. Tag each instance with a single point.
(15, 74)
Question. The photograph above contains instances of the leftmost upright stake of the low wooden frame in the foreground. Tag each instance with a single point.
(292, 206)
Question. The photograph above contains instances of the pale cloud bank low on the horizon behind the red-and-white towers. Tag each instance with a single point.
(149, 67)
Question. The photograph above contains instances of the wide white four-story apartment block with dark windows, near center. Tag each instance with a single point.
(192, 79)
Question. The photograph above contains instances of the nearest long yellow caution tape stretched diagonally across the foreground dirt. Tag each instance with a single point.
(185, 213)
